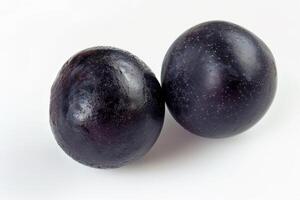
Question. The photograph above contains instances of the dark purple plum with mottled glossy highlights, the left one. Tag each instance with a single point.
(106, 108)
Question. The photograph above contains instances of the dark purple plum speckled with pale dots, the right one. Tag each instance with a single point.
(218, 79)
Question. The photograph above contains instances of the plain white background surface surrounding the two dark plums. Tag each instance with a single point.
(37, 37)
